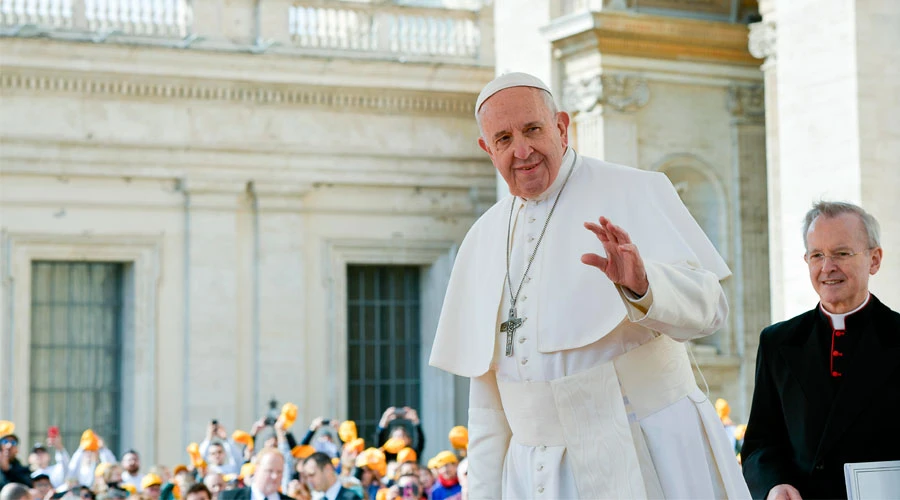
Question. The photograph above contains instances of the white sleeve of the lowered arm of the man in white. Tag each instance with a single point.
(489, 436)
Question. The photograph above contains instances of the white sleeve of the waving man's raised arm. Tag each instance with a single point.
(685, 302)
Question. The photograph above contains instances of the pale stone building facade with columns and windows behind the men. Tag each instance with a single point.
(276, 188)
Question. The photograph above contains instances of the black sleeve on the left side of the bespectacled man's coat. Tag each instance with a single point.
(766, 454)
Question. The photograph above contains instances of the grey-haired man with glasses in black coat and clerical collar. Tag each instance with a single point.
(827, 381)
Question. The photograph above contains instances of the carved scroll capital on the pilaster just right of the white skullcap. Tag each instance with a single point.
(624, 93)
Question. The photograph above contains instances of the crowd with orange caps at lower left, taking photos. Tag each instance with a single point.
(329, 461)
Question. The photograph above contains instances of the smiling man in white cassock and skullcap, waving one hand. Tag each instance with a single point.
(581, 386)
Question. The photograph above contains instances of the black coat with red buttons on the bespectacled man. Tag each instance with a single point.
(823, 398)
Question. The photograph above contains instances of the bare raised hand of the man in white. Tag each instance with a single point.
(623, 264)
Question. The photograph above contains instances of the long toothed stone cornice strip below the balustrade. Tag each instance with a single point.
(260, 93)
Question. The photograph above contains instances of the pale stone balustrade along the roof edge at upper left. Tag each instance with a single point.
(330, 28)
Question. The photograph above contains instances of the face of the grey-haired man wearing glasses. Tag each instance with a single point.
(840, 261)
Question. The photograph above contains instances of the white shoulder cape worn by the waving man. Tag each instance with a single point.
(586, 303)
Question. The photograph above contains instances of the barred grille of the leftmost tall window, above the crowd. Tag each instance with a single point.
(76, 350)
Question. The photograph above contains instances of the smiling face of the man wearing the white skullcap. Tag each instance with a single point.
(525, 140)
